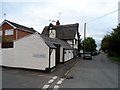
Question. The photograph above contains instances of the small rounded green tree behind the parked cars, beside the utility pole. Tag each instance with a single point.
(89, 44)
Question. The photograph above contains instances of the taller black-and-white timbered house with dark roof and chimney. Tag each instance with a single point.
(68, 33)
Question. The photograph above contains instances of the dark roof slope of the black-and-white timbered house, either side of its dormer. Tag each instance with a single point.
(63, 31)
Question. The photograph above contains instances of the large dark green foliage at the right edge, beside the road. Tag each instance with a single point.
(111, 42)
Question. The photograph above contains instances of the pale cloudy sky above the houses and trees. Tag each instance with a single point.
(39, 13)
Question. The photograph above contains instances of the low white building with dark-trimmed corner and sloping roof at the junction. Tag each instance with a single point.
(36, 52)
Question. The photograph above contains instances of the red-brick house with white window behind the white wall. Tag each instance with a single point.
(13, 31)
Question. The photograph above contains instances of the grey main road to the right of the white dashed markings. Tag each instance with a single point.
(97, 73)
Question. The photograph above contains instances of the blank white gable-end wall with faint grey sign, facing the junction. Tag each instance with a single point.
(29, 52)
